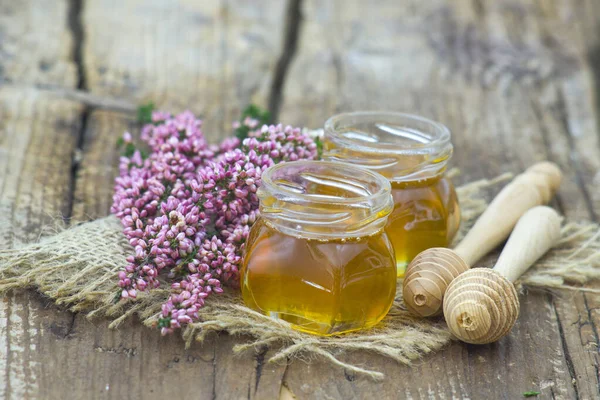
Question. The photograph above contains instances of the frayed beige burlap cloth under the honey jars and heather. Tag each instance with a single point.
(77, 268)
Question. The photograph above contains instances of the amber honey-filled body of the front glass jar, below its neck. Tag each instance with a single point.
(319, 286)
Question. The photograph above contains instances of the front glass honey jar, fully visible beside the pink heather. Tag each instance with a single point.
(318, 257)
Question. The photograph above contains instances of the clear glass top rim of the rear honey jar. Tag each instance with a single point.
(440, 139)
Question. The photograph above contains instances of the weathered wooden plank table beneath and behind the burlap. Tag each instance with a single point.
(516, 82)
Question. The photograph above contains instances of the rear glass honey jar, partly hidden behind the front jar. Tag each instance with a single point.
(412, 152)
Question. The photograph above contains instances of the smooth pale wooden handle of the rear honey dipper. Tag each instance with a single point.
(534, 187)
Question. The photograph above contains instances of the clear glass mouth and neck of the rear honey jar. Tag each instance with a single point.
(400, 146)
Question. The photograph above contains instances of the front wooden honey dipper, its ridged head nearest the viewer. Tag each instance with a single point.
(481, 305)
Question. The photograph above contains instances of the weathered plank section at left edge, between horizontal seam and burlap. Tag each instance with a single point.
(38, 138)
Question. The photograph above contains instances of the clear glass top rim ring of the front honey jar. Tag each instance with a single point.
(267, 183)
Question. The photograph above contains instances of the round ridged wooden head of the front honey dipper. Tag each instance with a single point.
(481, 306)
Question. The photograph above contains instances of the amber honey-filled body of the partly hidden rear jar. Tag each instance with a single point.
(425, 215)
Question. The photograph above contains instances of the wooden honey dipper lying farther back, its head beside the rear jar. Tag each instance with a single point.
(431, 271)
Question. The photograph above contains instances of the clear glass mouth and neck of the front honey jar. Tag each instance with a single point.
(321, 199)
